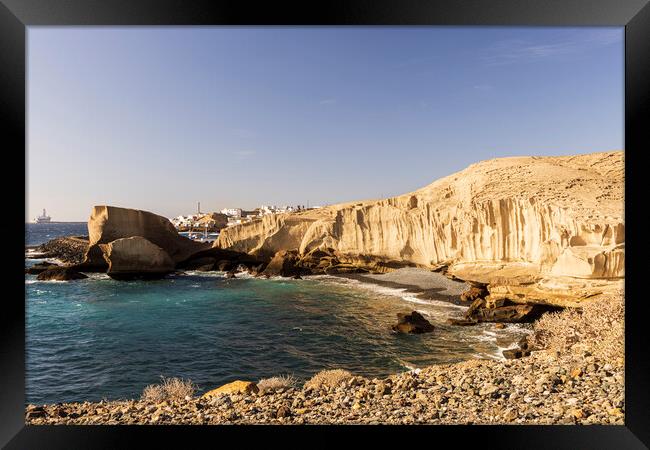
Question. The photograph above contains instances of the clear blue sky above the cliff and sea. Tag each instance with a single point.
(158, 118)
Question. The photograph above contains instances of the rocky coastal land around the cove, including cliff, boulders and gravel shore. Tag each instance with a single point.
(529, 235)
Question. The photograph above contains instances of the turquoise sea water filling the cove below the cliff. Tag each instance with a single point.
(101, 338)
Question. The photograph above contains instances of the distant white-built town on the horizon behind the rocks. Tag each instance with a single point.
(228, 217)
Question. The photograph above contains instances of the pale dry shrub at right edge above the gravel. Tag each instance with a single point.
(597, 327)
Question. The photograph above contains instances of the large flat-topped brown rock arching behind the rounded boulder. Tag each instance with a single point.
(110, 223)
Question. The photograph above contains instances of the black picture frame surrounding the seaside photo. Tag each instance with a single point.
(16, 15)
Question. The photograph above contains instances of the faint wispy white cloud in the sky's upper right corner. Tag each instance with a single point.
(519, 50)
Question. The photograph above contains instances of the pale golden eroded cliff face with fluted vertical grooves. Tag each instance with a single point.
(549, 217)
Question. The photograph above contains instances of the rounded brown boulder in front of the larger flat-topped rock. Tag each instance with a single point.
(136, 258)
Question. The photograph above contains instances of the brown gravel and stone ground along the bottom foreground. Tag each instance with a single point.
(539, 389)
